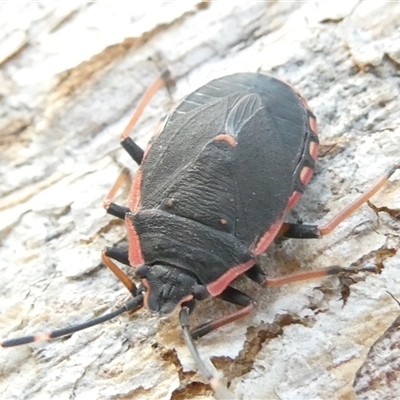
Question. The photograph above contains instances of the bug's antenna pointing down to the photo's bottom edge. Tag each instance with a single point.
(221, 391)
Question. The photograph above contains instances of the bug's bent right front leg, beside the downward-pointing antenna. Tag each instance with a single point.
(230, 295)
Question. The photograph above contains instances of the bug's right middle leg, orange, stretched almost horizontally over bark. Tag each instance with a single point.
(257, 275)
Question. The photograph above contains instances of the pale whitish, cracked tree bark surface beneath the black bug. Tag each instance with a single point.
(70, 75)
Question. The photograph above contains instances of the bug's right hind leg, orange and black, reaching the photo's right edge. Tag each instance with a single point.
(300, 231)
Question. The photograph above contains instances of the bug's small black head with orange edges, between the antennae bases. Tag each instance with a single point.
(167, 287)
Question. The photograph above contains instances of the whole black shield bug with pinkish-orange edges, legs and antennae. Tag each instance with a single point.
(212, 192)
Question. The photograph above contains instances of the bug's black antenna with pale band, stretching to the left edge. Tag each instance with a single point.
(133, 304)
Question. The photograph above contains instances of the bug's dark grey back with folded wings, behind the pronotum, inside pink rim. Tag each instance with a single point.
(242, 189)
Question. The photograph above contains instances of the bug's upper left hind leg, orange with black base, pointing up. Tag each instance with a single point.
(127, 143)
